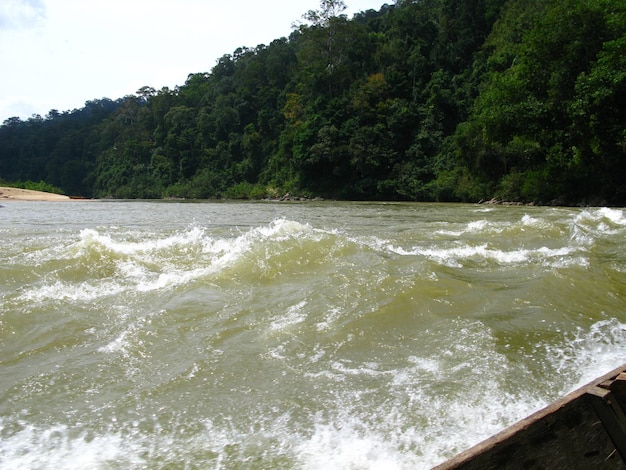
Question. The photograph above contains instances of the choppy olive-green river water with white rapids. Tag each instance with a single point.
(153, 335)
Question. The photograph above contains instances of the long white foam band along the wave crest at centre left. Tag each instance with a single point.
(163, 263)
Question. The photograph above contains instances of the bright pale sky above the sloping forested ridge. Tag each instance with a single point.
(58, 54)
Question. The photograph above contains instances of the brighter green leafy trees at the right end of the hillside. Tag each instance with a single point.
(536, 126)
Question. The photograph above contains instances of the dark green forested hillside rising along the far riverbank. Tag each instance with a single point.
(427, 100)
